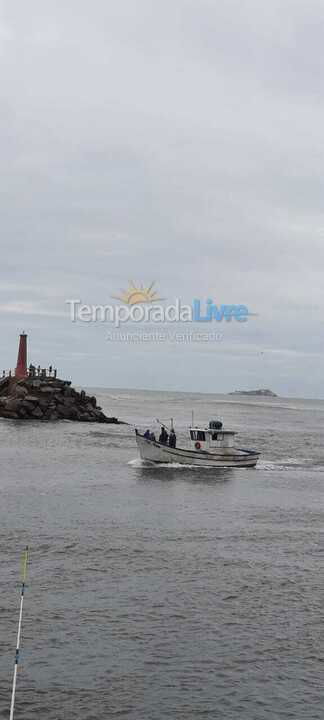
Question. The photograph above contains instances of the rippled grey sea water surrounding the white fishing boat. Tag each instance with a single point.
(171, 592)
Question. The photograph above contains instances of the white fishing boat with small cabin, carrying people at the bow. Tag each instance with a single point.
(210, 446)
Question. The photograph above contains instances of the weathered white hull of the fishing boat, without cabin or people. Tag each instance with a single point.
(155, 452)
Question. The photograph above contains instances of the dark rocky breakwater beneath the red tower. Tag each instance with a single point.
(48, 399)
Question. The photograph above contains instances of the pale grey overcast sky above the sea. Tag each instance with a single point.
(177, 141)
